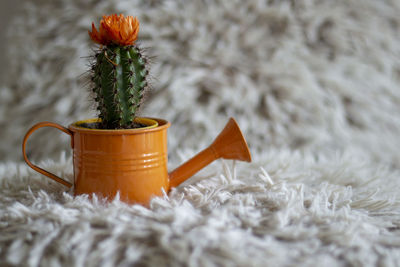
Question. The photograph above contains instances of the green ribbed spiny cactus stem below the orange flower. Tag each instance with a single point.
(119, 76)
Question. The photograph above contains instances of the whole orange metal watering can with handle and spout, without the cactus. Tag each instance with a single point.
(133, 162)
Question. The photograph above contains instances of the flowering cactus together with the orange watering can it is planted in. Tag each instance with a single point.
(120, 153)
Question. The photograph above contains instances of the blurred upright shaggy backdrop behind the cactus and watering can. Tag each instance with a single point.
(318, 77)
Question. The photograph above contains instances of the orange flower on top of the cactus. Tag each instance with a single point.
(116, 29)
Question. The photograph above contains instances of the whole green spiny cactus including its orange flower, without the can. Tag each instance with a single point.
(119, 72)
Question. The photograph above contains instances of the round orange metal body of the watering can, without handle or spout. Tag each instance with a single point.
(131, 162)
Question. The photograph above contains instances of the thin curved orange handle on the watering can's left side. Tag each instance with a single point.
(36, 168)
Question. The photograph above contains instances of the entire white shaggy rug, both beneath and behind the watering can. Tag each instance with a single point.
(315, 87)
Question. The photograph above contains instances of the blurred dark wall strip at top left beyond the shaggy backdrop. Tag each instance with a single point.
(8, 8)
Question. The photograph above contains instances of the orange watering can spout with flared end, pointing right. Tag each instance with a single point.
(229, 144)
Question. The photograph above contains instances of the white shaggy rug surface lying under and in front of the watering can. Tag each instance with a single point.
(286, 209)
